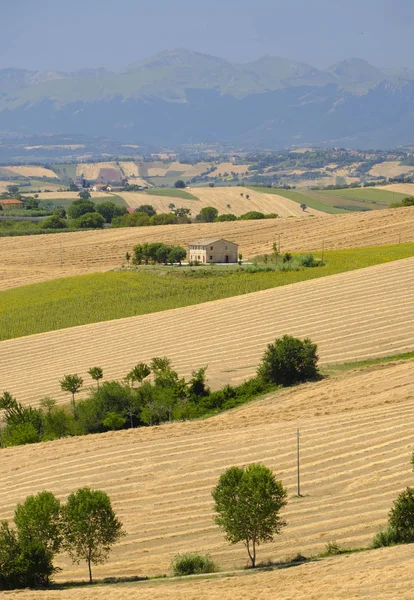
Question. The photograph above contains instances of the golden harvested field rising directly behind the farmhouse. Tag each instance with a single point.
(32, 259)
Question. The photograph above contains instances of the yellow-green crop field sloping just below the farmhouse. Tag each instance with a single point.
(105, 296)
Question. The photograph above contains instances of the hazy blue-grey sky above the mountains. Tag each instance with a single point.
(70, 34)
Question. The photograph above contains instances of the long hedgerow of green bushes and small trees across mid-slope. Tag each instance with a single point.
(139, 401)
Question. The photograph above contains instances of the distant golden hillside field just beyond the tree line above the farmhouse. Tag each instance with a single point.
(225, 200)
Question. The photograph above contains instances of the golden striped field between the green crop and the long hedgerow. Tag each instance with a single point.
(351, 316)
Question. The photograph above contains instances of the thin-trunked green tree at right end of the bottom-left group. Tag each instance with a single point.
(90, 527)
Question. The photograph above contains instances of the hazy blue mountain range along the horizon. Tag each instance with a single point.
(182, 97)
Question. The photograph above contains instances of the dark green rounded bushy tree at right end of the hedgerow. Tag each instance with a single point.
(289, 360)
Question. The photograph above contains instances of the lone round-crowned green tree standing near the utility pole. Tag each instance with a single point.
(247, 503)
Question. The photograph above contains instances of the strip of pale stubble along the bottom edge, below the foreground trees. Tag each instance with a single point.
(381, 575)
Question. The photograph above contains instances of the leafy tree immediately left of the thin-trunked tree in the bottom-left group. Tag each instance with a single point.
(38, 519)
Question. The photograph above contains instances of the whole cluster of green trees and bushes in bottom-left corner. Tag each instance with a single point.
(86, 527)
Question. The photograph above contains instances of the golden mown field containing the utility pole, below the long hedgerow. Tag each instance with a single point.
(356, 449)
